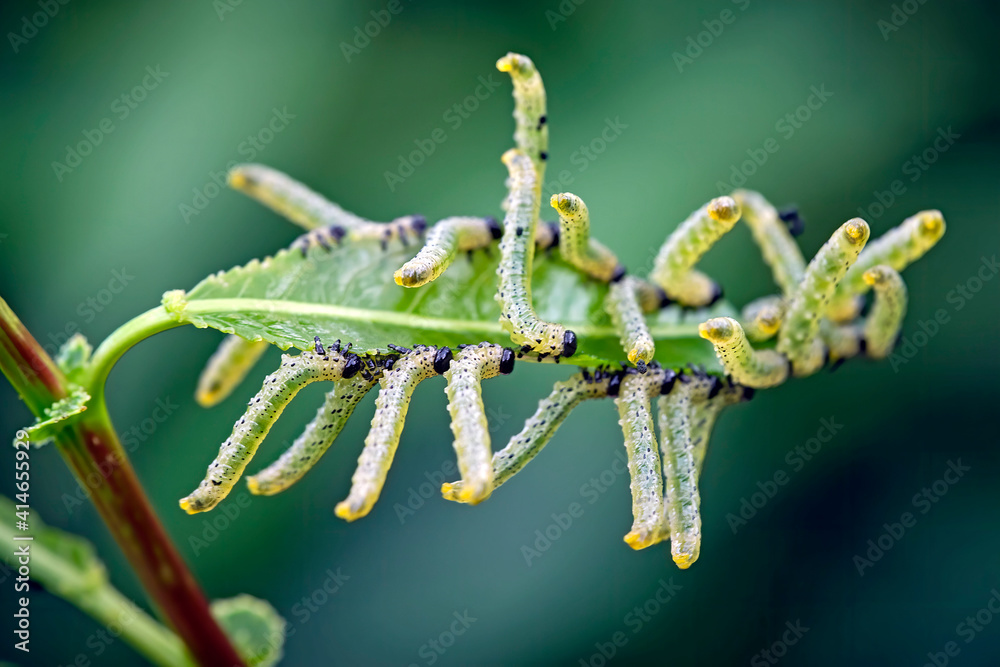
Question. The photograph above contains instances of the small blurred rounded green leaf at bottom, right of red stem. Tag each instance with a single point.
(256, 629)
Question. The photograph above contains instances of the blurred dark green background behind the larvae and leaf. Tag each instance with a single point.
(228, 66)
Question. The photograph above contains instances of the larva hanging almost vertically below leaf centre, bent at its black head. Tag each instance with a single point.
(470, 367)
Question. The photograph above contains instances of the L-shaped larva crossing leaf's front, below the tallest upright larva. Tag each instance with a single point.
(517, 250)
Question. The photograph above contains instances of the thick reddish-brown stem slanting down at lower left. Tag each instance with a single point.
(93, 452)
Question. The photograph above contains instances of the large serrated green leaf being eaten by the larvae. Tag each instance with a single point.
(349, 293)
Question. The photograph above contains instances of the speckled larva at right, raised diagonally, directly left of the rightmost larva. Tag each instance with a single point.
(799, 338)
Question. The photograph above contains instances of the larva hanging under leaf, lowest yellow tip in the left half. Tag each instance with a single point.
(395, 392)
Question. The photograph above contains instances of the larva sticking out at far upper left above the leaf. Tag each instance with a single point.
(289, 198)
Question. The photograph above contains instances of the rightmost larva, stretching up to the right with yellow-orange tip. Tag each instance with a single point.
(897, 249)
